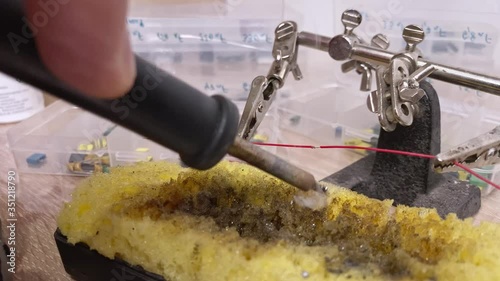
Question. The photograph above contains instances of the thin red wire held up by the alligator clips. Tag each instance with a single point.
(398, 152)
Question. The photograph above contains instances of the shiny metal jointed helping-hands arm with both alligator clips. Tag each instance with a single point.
(398, 75)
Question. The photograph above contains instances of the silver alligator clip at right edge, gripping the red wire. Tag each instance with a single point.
(476, 153)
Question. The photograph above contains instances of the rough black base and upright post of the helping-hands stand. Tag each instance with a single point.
(409, 180)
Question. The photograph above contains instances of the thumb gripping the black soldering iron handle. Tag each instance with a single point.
(85, 43)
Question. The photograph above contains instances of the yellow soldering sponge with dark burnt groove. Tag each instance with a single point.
(234, 222)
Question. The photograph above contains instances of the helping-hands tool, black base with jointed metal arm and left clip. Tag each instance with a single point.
(406, 105)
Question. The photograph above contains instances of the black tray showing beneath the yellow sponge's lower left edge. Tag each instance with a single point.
(84, 264)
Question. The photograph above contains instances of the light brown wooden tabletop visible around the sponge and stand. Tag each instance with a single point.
(40, 197)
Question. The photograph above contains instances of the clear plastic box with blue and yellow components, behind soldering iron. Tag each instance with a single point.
(66, 140)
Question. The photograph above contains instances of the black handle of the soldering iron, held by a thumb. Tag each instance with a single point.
(160, 107)
